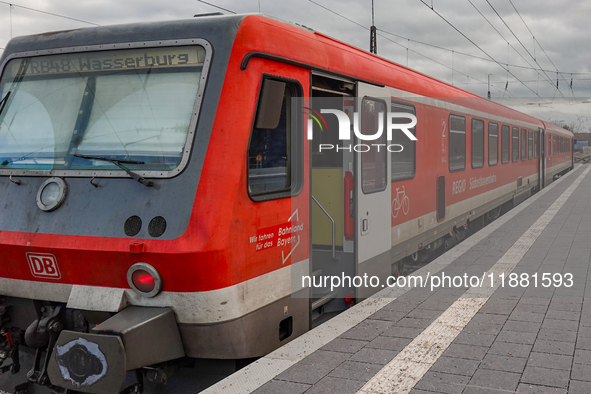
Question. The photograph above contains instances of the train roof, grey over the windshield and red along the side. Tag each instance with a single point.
(248, 33)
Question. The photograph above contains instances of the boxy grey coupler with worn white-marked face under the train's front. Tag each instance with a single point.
(97, 362)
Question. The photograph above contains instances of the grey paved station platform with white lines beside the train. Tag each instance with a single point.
(467, 339)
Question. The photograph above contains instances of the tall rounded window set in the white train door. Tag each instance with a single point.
(374, 160)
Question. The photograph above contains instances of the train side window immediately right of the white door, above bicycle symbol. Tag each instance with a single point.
(403, 163)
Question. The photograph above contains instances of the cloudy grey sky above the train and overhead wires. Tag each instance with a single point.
(523, 72)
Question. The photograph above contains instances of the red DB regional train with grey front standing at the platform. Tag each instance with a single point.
(161, 200)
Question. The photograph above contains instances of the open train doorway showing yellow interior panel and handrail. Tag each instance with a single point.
(332, 198)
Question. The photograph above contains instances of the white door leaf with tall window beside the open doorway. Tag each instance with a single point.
(373, 239)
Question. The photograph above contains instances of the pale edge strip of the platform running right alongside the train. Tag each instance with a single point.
(266, 368)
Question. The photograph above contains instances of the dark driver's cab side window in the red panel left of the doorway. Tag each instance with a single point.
(271, 148)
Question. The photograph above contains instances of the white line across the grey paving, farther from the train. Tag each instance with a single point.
(402, 373)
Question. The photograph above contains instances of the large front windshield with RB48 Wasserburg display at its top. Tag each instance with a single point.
(133, 104)
